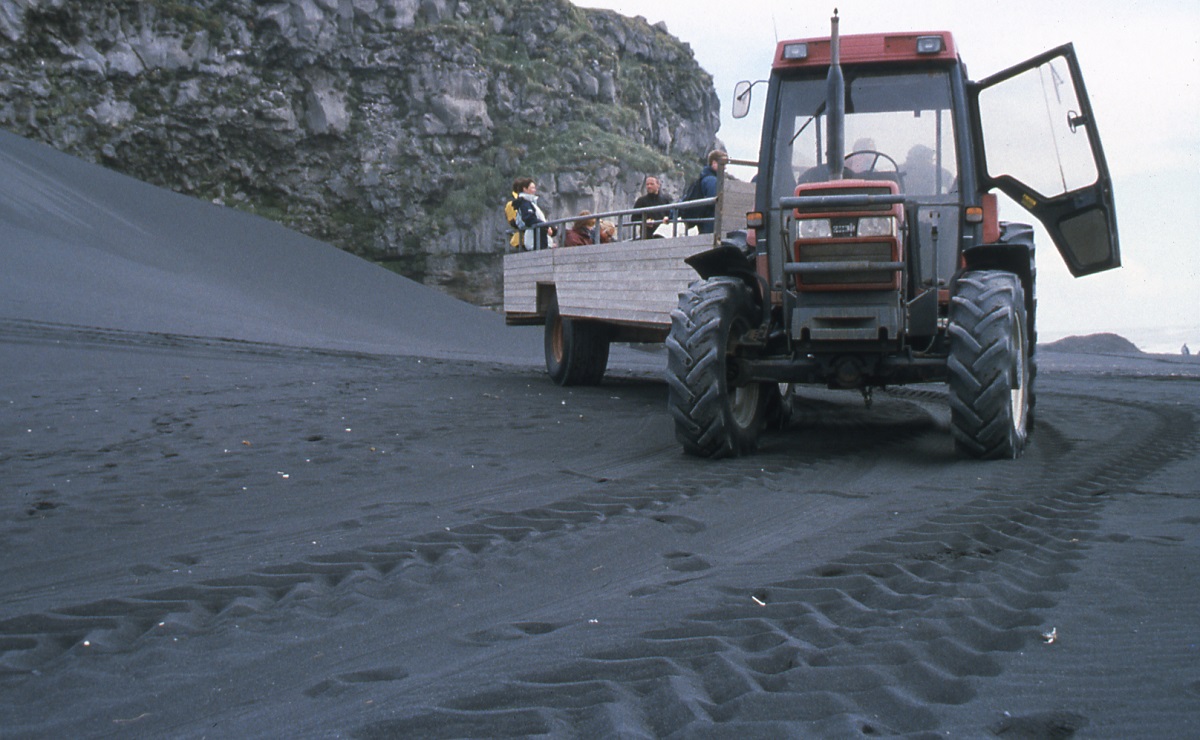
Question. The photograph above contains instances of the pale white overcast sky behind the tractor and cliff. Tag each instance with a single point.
(1142, 67)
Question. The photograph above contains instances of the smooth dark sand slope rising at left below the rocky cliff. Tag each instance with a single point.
(86, 246)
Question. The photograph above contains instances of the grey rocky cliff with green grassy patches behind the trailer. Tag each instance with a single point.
(389, 128)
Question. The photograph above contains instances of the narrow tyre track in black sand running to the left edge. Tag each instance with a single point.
(632, 485)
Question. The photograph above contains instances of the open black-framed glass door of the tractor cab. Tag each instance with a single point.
(1040, 147)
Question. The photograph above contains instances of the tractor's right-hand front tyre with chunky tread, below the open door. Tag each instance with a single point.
(991, 374)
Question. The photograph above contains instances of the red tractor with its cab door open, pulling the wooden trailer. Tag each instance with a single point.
(884, 263)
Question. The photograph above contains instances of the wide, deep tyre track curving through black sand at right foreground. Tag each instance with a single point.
(866, 645)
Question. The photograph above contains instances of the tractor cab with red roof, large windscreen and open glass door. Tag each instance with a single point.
(905, 115)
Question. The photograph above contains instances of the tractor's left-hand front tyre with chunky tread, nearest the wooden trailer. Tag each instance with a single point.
(712, 417)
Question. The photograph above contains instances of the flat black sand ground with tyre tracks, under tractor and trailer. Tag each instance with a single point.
(224, 536)
